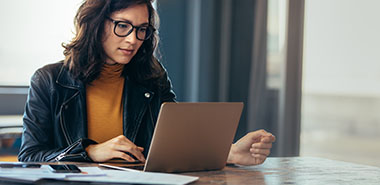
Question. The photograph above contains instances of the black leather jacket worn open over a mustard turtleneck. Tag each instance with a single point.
(55, 117)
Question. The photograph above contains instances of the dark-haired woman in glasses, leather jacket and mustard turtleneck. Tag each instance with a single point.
(102, 101)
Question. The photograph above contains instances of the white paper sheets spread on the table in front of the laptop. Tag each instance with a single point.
(95, 174)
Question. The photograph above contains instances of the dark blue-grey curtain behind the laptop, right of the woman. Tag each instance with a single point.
(215, 51)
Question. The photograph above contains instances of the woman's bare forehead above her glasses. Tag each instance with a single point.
(136, 14)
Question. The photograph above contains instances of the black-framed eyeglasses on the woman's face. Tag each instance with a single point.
(124, 28)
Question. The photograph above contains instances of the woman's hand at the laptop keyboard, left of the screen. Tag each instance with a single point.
(115, 148)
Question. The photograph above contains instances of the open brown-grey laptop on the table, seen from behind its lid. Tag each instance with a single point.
(192, 137)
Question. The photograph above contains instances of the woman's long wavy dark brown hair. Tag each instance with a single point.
(85, 56)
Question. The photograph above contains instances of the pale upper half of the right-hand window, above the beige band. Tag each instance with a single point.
(342, 47)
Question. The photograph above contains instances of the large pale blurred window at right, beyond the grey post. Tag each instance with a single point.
(341, 92)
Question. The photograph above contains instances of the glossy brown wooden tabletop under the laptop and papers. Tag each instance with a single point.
(296, 170)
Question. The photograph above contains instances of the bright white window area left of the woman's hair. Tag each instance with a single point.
(31, 35)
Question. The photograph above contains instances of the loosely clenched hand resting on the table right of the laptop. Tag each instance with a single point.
(252, 149)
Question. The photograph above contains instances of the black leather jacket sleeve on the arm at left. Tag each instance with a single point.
(38, 132)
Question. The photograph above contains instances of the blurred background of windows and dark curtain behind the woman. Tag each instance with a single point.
(306, 70)
